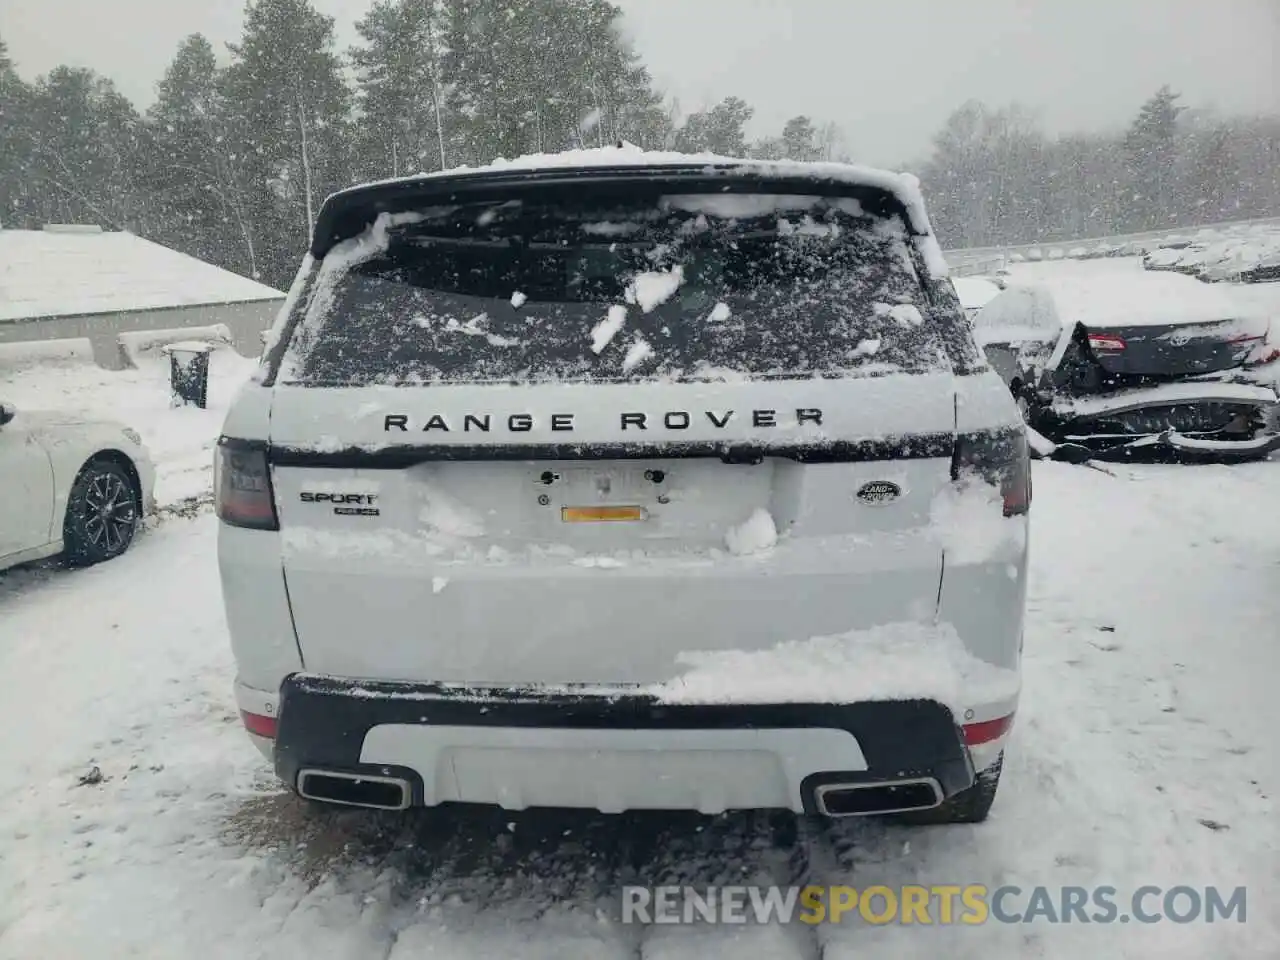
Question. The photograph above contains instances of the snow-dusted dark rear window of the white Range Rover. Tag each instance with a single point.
(618, 286)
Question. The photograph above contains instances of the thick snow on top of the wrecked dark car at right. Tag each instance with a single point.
(1122, 294)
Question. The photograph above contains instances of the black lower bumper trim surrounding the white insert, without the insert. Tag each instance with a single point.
(323, 723)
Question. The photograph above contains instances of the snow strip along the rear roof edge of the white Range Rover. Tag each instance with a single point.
(903, 186)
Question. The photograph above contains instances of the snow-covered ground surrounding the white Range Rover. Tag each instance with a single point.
(1145, 753)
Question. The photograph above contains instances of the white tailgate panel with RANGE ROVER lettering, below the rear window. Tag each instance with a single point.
(543, 560)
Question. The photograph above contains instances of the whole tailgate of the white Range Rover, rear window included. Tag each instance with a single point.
(566, 432)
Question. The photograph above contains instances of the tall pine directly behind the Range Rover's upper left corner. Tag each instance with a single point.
(290, 112)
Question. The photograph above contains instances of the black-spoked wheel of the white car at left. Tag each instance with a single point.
(103, 514)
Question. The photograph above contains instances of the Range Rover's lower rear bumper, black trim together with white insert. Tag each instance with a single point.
(519, 749)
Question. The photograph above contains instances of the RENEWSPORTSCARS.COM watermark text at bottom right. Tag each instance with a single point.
(970, 904)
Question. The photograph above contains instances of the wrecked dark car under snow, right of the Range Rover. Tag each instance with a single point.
(1168, 371)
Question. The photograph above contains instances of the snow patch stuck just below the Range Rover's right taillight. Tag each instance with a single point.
(970, 522)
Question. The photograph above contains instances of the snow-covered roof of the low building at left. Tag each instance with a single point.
(77, 273)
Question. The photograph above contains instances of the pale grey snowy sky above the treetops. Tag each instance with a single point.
(1086, 65)
